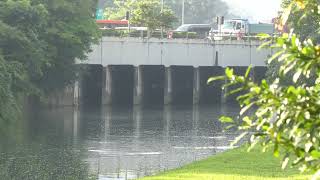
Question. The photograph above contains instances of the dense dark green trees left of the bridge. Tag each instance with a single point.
(40, 41)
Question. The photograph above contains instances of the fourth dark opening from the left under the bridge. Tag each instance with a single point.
(182, 85)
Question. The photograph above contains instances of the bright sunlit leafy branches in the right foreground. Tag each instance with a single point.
(285, 116)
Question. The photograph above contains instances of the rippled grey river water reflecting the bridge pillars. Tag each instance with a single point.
(111, 143)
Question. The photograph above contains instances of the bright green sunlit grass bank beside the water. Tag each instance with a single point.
(234, 164)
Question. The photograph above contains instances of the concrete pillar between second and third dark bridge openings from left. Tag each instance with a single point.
(138, 86)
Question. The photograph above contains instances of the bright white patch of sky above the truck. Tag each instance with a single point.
(255, 10)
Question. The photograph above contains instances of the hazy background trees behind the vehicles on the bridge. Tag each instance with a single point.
(196, 11)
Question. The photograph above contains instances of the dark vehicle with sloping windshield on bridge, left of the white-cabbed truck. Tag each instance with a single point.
(202, 30)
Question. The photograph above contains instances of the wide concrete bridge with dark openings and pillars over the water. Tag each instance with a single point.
(156, 72)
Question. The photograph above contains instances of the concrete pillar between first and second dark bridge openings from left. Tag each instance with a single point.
(106, 86)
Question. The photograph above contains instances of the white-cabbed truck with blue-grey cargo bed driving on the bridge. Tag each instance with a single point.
(238, 28)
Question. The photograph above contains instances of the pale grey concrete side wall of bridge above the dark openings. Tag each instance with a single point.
(135, 51)
